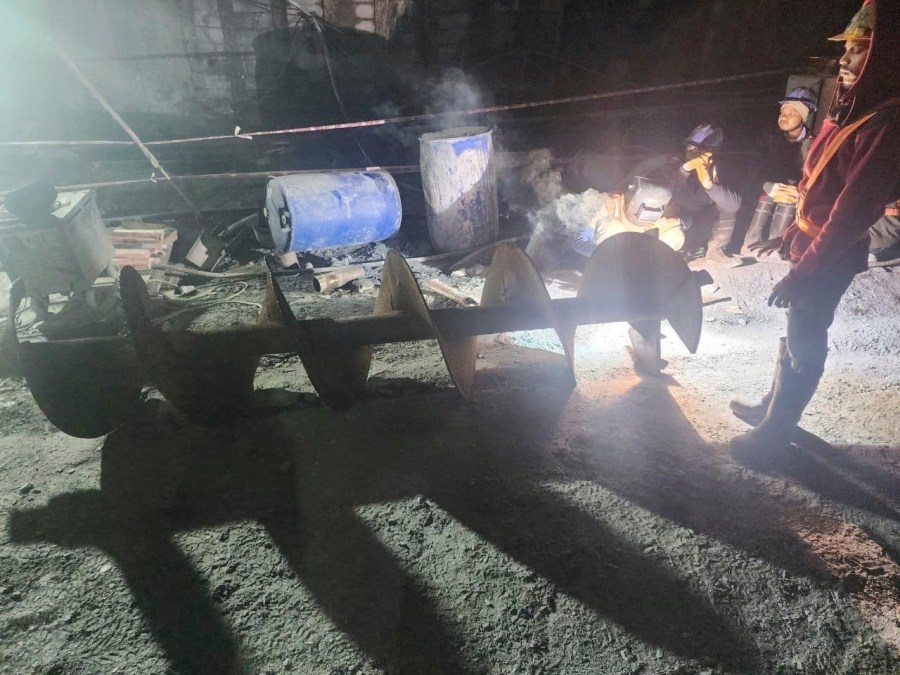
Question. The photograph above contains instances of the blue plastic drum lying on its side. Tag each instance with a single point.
(313, 211)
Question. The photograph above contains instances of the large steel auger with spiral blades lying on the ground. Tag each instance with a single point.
(87, 387)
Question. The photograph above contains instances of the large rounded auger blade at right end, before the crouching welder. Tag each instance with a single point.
(646, 277)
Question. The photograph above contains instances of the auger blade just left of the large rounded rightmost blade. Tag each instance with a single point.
(514, 280)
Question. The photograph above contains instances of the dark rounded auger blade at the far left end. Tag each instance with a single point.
(86, 387)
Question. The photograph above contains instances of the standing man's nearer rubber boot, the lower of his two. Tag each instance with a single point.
(792, 393)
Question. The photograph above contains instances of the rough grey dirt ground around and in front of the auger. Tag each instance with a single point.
(535, 530)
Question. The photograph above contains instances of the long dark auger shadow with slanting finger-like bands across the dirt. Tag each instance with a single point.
(302, 474)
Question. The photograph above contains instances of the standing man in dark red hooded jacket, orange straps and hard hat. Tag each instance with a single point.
(849, 175)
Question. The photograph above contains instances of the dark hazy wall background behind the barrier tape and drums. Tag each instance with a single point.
(182, 69)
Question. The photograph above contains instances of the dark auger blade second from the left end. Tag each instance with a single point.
(208, 377)
